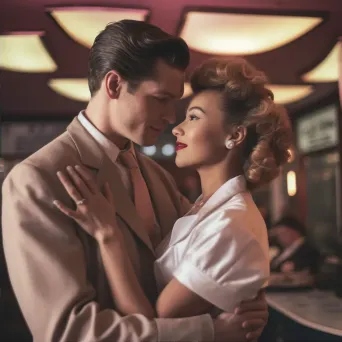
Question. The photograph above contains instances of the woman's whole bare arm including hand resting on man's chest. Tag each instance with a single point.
(97, 216)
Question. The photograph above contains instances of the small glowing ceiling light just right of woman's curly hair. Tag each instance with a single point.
(284, 94)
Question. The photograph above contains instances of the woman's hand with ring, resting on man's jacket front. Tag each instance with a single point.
(95, 212)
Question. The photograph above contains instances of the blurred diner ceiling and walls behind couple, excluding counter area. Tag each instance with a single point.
(44, 47)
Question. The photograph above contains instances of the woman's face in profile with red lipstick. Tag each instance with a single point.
(201, 136)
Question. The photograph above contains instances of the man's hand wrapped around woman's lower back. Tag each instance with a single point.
(246, 324)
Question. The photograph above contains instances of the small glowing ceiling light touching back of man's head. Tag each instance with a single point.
(73, 88)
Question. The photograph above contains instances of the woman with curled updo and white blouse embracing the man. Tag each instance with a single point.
(217, 255)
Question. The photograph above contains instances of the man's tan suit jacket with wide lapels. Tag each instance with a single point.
(55, 267)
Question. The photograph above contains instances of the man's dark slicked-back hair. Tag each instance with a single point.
(132, 48)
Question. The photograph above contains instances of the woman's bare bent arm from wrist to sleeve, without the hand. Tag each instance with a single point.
(175, 301)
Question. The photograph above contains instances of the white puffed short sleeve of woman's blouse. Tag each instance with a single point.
(225, 262)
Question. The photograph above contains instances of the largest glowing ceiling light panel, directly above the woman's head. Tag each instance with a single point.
(242, 34)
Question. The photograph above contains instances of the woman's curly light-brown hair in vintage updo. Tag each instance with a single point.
(249, 103)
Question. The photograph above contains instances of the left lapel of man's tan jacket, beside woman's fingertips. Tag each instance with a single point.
(94, 157)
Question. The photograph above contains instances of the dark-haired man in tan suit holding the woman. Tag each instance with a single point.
(136, 73)
